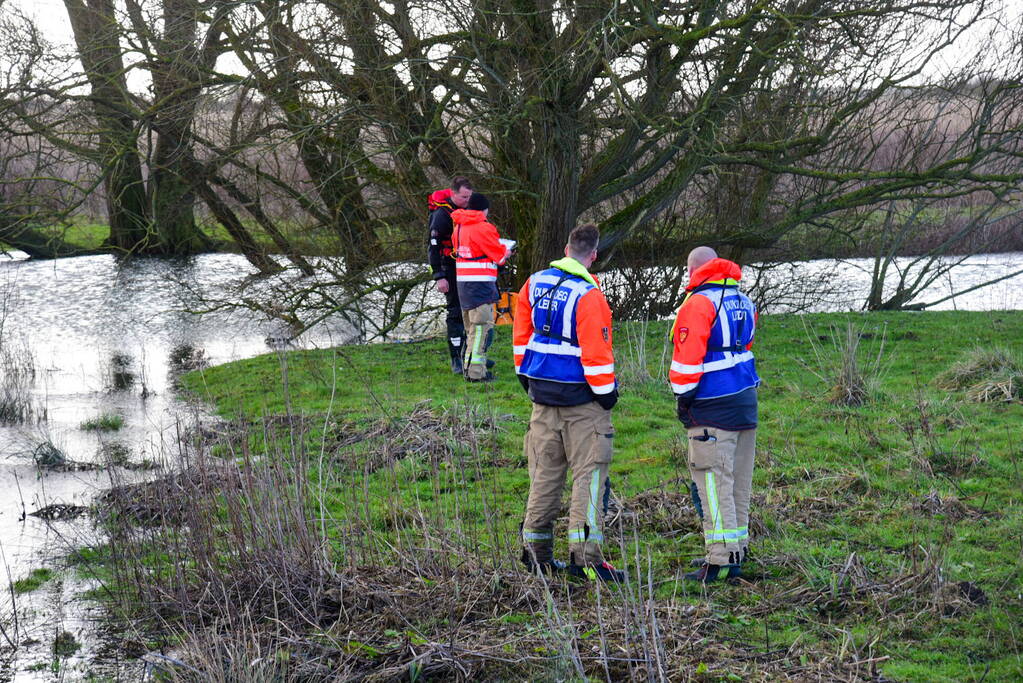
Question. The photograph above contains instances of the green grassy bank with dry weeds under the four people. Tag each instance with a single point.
(887, 541)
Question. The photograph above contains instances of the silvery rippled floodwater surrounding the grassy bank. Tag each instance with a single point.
(99, 339)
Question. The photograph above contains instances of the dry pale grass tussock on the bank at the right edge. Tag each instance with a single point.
(987, 376)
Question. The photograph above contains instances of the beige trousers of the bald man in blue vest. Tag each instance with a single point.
(722, 467)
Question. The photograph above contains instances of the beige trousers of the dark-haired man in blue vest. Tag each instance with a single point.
(559, 438)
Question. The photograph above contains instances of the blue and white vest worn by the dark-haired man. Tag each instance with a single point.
(554, 352)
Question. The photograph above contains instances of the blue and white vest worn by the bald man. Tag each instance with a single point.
(732, 372)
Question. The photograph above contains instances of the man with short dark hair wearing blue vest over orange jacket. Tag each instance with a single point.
(565, 361)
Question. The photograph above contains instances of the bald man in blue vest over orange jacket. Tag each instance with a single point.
(715, 379)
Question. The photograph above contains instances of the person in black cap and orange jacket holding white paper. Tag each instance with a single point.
(478, 252)
